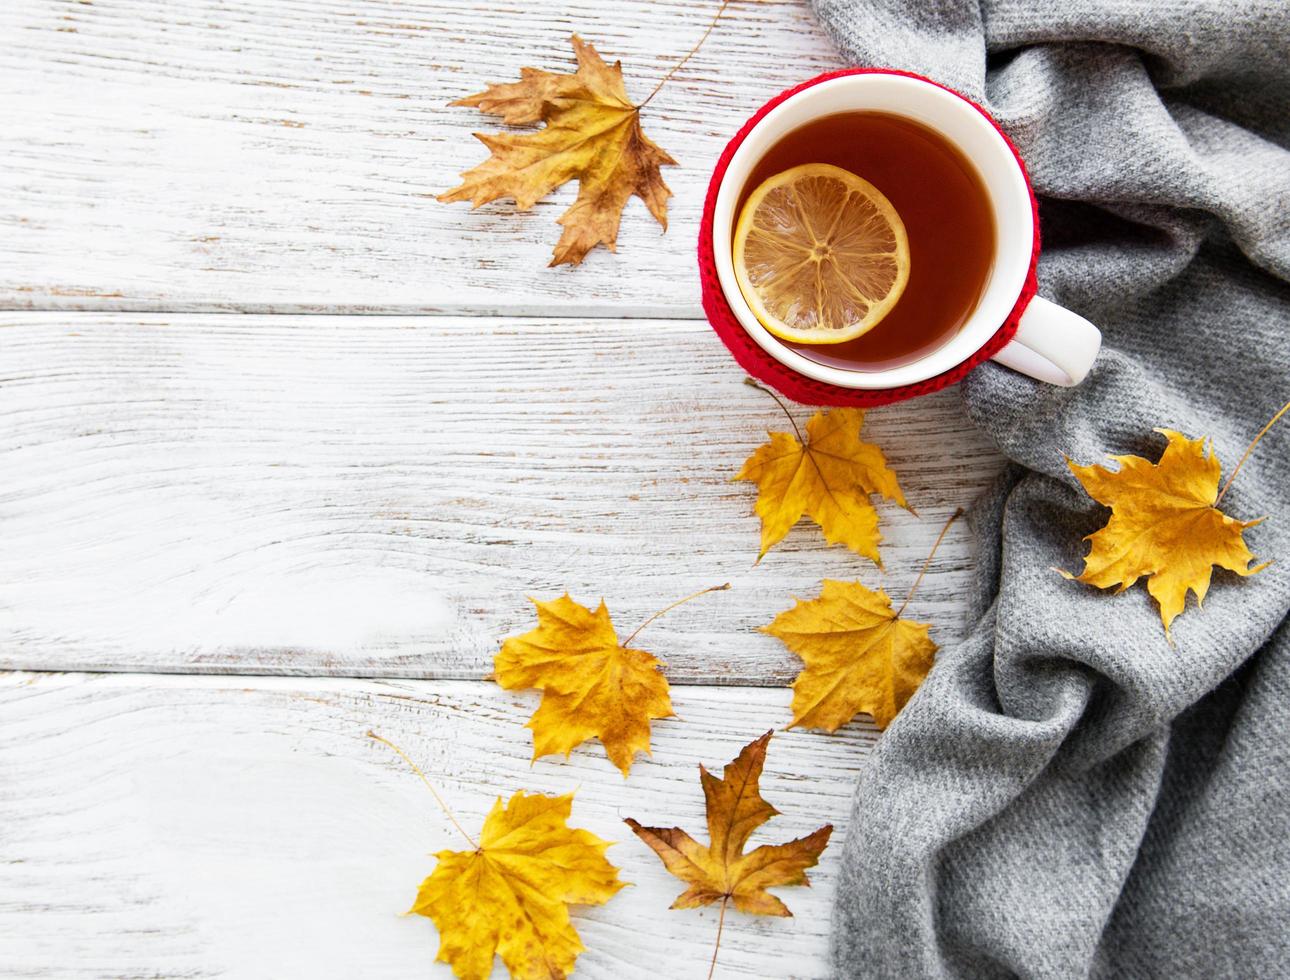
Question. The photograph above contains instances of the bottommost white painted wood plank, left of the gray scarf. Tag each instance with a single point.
(186, 827)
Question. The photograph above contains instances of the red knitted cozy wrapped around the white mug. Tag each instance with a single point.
(797, 386)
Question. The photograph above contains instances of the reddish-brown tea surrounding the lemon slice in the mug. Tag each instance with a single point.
(948, 217)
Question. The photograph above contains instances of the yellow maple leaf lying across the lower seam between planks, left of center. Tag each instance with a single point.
(593, 687)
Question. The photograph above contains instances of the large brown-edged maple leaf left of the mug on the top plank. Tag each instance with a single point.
(593, 135)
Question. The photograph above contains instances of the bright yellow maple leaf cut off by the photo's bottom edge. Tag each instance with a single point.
(510, 897)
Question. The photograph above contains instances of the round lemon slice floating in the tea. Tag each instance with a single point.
(820, 255)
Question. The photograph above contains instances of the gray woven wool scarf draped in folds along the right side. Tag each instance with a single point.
(1069, 796)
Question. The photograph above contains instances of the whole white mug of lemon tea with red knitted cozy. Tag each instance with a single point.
(873, 235)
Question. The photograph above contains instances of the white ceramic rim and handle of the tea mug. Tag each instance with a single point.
(1052, 344)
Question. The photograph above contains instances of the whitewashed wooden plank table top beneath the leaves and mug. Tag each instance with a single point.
(286, 444)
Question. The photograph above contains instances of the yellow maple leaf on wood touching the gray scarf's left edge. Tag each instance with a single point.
(858, 654)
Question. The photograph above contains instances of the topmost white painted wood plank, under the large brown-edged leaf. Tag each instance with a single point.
(181, 155)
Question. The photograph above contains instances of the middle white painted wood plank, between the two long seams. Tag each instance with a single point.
(380, 496)
